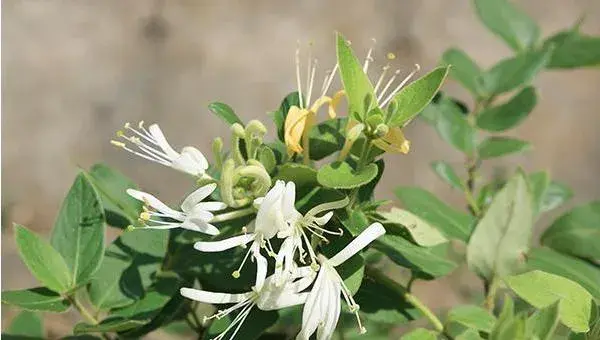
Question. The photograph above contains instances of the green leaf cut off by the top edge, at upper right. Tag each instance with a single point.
(508, 22)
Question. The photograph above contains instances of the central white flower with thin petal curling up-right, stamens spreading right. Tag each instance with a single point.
(297, 233)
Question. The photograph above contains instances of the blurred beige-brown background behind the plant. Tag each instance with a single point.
(73, 72)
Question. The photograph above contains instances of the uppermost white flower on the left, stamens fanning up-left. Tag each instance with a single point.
(152, 145)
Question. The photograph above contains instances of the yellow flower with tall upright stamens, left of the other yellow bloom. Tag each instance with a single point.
(301, 118)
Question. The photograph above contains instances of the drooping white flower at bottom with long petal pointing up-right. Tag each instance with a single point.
(322, 308)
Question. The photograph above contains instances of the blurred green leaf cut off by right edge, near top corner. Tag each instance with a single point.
(573, 49)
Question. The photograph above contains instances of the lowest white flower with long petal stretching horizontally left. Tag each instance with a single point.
(269, 297)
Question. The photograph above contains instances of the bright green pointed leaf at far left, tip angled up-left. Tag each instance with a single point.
(43, 261)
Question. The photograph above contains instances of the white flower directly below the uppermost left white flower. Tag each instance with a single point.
(194, 214)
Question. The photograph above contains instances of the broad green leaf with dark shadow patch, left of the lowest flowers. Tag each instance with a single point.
(127, 268)
